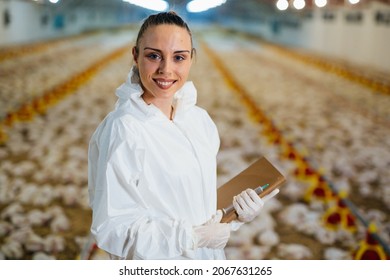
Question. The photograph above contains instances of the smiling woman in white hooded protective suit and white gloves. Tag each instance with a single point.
(152, 161)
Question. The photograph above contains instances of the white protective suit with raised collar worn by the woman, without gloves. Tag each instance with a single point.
(151, 179)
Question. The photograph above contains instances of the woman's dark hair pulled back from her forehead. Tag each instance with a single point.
(163, 18)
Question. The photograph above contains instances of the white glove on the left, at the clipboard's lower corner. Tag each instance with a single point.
(212, 234)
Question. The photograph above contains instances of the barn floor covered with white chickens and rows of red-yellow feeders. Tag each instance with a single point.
(327, 134)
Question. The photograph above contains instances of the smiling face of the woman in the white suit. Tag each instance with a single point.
(164, 61)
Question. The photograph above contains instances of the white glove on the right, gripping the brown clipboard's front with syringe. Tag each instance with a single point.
(248, 204)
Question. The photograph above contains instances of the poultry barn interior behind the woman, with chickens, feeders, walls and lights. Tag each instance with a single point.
(304, 83)
